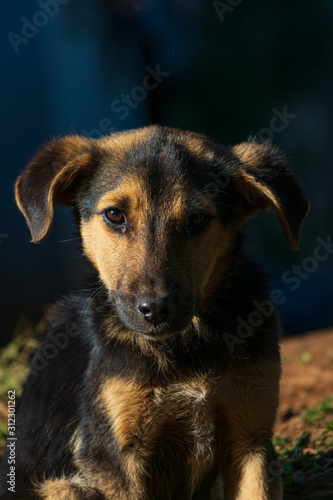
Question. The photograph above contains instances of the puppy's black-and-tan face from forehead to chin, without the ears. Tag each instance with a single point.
(152, 229)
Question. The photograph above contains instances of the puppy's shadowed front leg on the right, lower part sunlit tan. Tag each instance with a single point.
(250, 397)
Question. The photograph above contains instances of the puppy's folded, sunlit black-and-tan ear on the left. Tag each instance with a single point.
(49, 179)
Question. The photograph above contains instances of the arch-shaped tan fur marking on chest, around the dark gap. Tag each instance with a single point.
(137, 416)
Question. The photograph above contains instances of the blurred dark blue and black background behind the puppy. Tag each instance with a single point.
(228, 69)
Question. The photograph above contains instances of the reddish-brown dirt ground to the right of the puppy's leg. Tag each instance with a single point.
(307, 379)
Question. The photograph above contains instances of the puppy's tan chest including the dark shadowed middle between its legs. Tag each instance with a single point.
(170, 430)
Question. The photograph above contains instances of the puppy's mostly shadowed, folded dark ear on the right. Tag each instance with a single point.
(264, 180)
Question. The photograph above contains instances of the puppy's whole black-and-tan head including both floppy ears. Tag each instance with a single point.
(159, 211)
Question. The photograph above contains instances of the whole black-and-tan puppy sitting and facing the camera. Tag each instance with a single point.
(146, 387)
